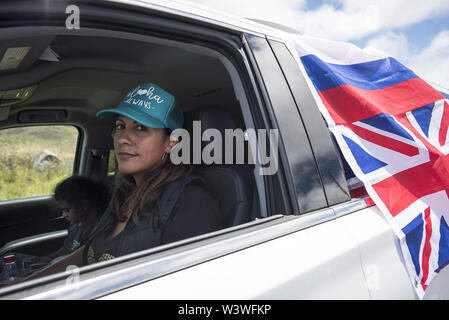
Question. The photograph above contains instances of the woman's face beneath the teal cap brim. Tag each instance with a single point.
(138, 149)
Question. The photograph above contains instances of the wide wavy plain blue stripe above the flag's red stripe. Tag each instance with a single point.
(370, 75)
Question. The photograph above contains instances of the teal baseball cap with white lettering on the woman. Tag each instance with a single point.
(149, 105)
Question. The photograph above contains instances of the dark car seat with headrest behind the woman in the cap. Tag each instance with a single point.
(233, 184)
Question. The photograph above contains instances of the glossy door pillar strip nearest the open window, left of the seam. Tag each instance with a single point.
(296, 151)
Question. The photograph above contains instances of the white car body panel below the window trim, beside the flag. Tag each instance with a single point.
(290, 267)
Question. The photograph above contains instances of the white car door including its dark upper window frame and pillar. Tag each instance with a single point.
(301, 247)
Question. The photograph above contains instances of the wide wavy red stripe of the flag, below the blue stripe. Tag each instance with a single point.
(348, 104)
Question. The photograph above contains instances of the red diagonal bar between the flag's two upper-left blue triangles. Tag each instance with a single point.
(385, 141)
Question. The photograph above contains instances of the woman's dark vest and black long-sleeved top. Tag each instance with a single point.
(185, 209)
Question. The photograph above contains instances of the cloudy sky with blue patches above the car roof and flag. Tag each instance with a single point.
(415, 32)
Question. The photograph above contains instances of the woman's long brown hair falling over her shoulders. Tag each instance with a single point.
(130, 200)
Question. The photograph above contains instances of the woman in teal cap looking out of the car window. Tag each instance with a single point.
(154, 202)
